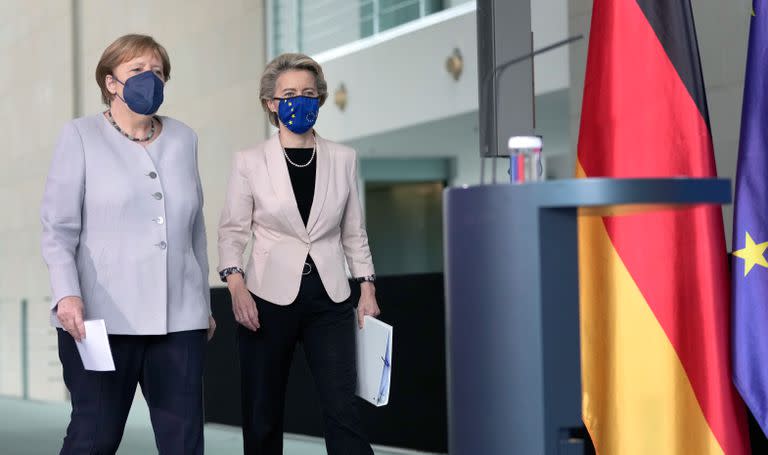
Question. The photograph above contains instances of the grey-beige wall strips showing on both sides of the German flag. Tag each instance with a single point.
(722, 29)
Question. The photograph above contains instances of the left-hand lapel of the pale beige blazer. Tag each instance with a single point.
(281, 184)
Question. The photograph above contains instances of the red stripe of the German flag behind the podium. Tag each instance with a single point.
(639, 120)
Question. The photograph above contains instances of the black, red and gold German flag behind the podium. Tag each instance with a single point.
(655, 308)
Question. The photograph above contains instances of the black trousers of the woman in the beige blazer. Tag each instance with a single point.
(327, 331)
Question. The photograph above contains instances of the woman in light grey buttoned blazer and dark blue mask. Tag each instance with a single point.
(124, 240)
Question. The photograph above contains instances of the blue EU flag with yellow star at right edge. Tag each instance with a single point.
(750, 228)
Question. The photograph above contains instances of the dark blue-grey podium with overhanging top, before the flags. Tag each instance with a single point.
(512, 306)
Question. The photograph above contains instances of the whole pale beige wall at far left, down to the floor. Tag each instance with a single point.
(36, 88)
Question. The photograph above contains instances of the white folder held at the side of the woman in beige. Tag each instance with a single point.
(374, 361)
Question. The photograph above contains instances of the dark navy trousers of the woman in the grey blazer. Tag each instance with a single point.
(169, 369)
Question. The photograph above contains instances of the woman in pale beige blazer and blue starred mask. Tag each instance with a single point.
(295, 195)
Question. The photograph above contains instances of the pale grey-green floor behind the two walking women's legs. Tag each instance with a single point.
(36, 428)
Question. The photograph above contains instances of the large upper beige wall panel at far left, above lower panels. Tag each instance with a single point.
(36, 89)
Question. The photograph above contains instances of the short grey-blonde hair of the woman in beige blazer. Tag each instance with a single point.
(281, 64)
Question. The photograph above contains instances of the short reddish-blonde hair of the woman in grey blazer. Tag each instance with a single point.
(123, 49)
